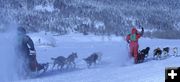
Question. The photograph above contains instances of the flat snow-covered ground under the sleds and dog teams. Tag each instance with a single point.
(116, 66)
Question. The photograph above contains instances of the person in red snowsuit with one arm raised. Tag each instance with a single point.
(132, 39)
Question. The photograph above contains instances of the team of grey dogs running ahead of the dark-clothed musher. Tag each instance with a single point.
(61, 61)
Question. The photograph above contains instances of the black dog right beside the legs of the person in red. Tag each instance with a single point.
(143, 54)
